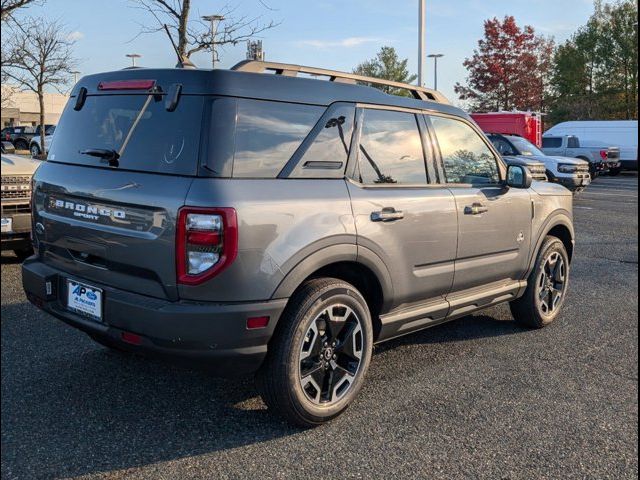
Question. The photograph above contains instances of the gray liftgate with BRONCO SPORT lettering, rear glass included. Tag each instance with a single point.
(113, 223)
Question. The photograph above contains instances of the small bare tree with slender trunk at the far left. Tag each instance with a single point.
(39, 57)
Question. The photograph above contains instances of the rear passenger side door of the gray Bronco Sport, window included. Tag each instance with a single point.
(410, 224)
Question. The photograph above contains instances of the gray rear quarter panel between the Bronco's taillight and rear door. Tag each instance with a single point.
(280, 223)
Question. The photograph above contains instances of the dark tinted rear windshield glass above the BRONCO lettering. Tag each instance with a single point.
(138, 127)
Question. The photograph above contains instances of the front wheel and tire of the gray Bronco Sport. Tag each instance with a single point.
(546, 287)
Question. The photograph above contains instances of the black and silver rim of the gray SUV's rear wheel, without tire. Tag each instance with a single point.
(331, 355)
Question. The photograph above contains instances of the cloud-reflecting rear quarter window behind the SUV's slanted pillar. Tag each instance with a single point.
(268, 134)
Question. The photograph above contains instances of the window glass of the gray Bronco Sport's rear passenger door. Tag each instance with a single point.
(390, 149)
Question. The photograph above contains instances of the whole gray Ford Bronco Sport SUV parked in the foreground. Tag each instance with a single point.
(281, 225)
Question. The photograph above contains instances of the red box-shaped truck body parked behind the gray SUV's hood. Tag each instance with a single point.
(524, 124)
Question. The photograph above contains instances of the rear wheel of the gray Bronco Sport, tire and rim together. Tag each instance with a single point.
(303, 341)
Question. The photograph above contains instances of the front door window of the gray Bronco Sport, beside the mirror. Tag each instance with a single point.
(466, 157)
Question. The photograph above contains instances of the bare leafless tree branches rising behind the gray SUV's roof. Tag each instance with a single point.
(195, 35)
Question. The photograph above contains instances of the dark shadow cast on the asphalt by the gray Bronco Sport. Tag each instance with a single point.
(71, 407)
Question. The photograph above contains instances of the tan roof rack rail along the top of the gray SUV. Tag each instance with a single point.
(289, 70)
